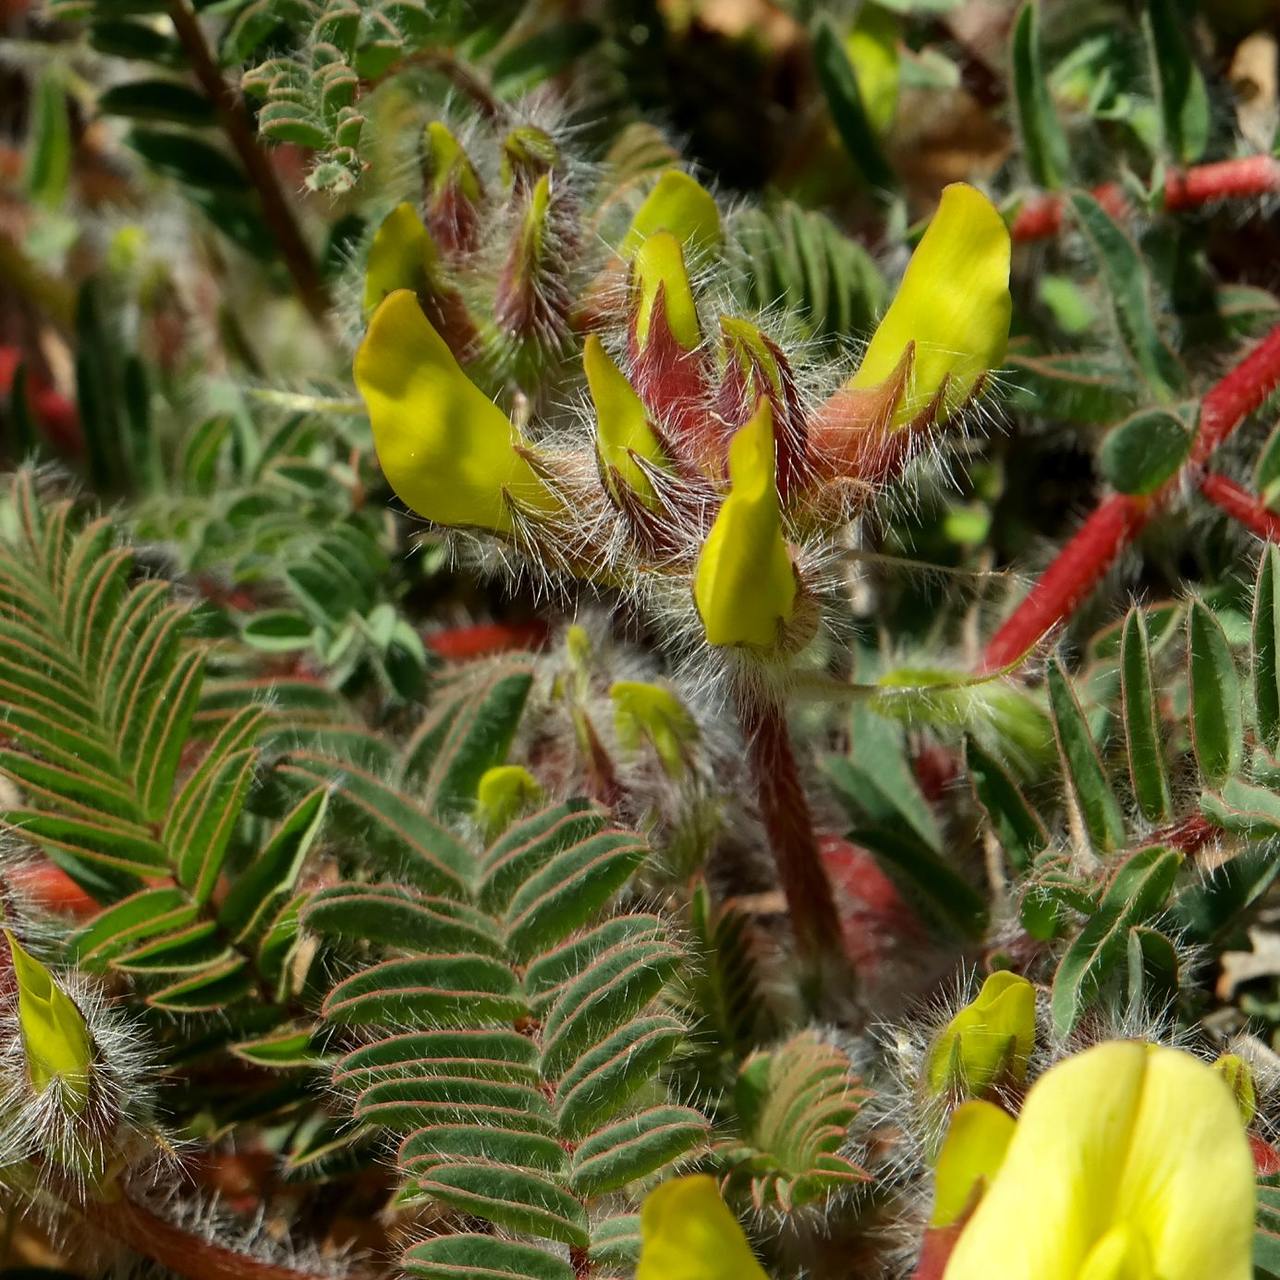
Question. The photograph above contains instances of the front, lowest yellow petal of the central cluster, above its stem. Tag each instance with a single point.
(744, 586)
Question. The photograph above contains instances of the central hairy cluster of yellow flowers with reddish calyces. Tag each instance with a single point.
(710, 481)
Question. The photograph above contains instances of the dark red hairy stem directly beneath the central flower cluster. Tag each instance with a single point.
(789, 826)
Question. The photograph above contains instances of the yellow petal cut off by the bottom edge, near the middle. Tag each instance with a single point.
(688, 1233)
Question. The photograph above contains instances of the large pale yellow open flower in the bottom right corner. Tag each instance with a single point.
(1128, 1163)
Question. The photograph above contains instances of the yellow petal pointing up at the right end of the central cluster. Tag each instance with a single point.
(953, 305)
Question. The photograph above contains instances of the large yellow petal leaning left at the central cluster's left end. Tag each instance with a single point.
(447, 450)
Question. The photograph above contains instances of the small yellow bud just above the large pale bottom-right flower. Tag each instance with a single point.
(989, 1040)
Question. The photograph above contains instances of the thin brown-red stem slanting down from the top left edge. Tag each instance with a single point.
(240, 132)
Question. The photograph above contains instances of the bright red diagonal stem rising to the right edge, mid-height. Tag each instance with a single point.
(1119, 519)
